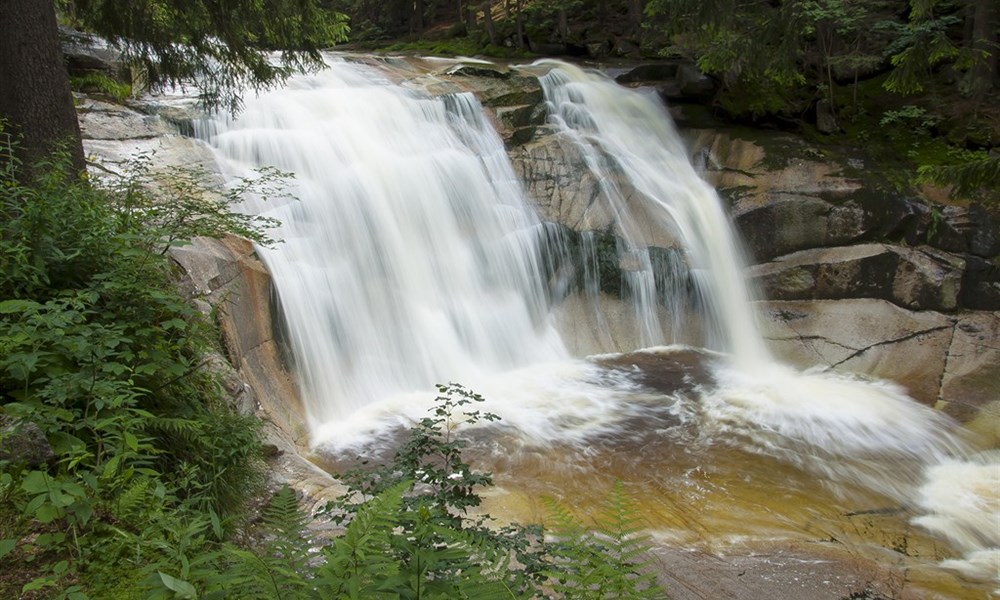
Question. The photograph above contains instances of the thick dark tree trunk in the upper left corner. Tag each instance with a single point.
(35, 97)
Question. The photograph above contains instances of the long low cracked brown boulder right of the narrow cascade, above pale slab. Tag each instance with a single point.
(918, 279)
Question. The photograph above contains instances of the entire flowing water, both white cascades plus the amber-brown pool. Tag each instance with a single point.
(412, 257)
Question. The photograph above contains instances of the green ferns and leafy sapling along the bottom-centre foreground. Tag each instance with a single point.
(407, 535)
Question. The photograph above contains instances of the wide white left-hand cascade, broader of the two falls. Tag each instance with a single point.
(409, 255)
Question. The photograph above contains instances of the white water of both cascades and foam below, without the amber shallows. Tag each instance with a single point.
(411, 258)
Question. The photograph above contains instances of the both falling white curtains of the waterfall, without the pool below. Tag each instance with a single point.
(411, 256)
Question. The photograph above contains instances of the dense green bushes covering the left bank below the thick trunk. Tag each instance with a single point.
(103, 357)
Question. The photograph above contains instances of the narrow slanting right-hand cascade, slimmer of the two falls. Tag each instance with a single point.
(629, 141)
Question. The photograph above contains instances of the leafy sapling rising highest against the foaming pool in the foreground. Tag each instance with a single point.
(437, 547)
